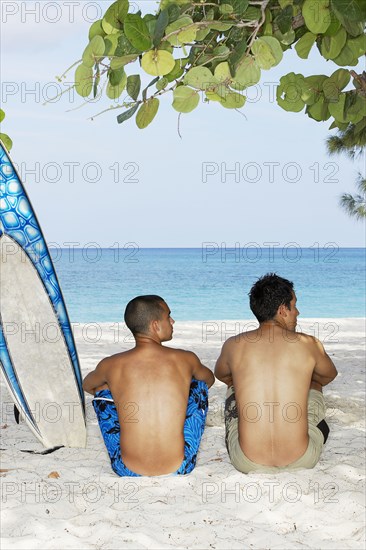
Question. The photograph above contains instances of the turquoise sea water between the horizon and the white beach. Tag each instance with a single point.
(208, 283)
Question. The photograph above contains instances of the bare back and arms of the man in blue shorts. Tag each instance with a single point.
(150, 387)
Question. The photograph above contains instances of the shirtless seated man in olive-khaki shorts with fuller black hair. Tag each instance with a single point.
(274, 412)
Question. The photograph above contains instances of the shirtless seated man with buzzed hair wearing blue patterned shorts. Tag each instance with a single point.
(150, 411)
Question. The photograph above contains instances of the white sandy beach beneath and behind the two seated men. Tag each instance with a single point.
(88, 506)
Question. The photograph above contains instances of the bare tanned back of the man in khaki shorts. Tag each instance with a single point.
(271, 369)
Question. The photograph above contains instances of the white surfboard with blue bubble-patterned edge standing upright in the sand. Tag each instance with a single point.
(37, 350)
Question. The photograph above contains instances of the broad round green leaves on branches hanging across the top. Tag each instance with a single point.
(219, 48)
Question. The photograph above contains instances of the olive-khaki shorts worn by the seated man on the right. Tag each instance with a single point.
(316, 413)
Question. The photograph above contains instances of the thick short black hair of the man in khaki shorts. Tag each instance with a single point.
(268, 294)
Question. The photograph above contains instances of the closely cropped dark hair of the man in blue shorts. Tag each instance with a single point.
(141, 311)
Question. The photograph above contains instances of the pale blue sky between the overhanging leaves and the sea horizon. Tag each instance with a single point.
(264, 177)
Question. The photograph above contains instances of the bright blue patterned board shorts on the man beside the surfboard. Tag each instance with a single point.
(194, 425)
